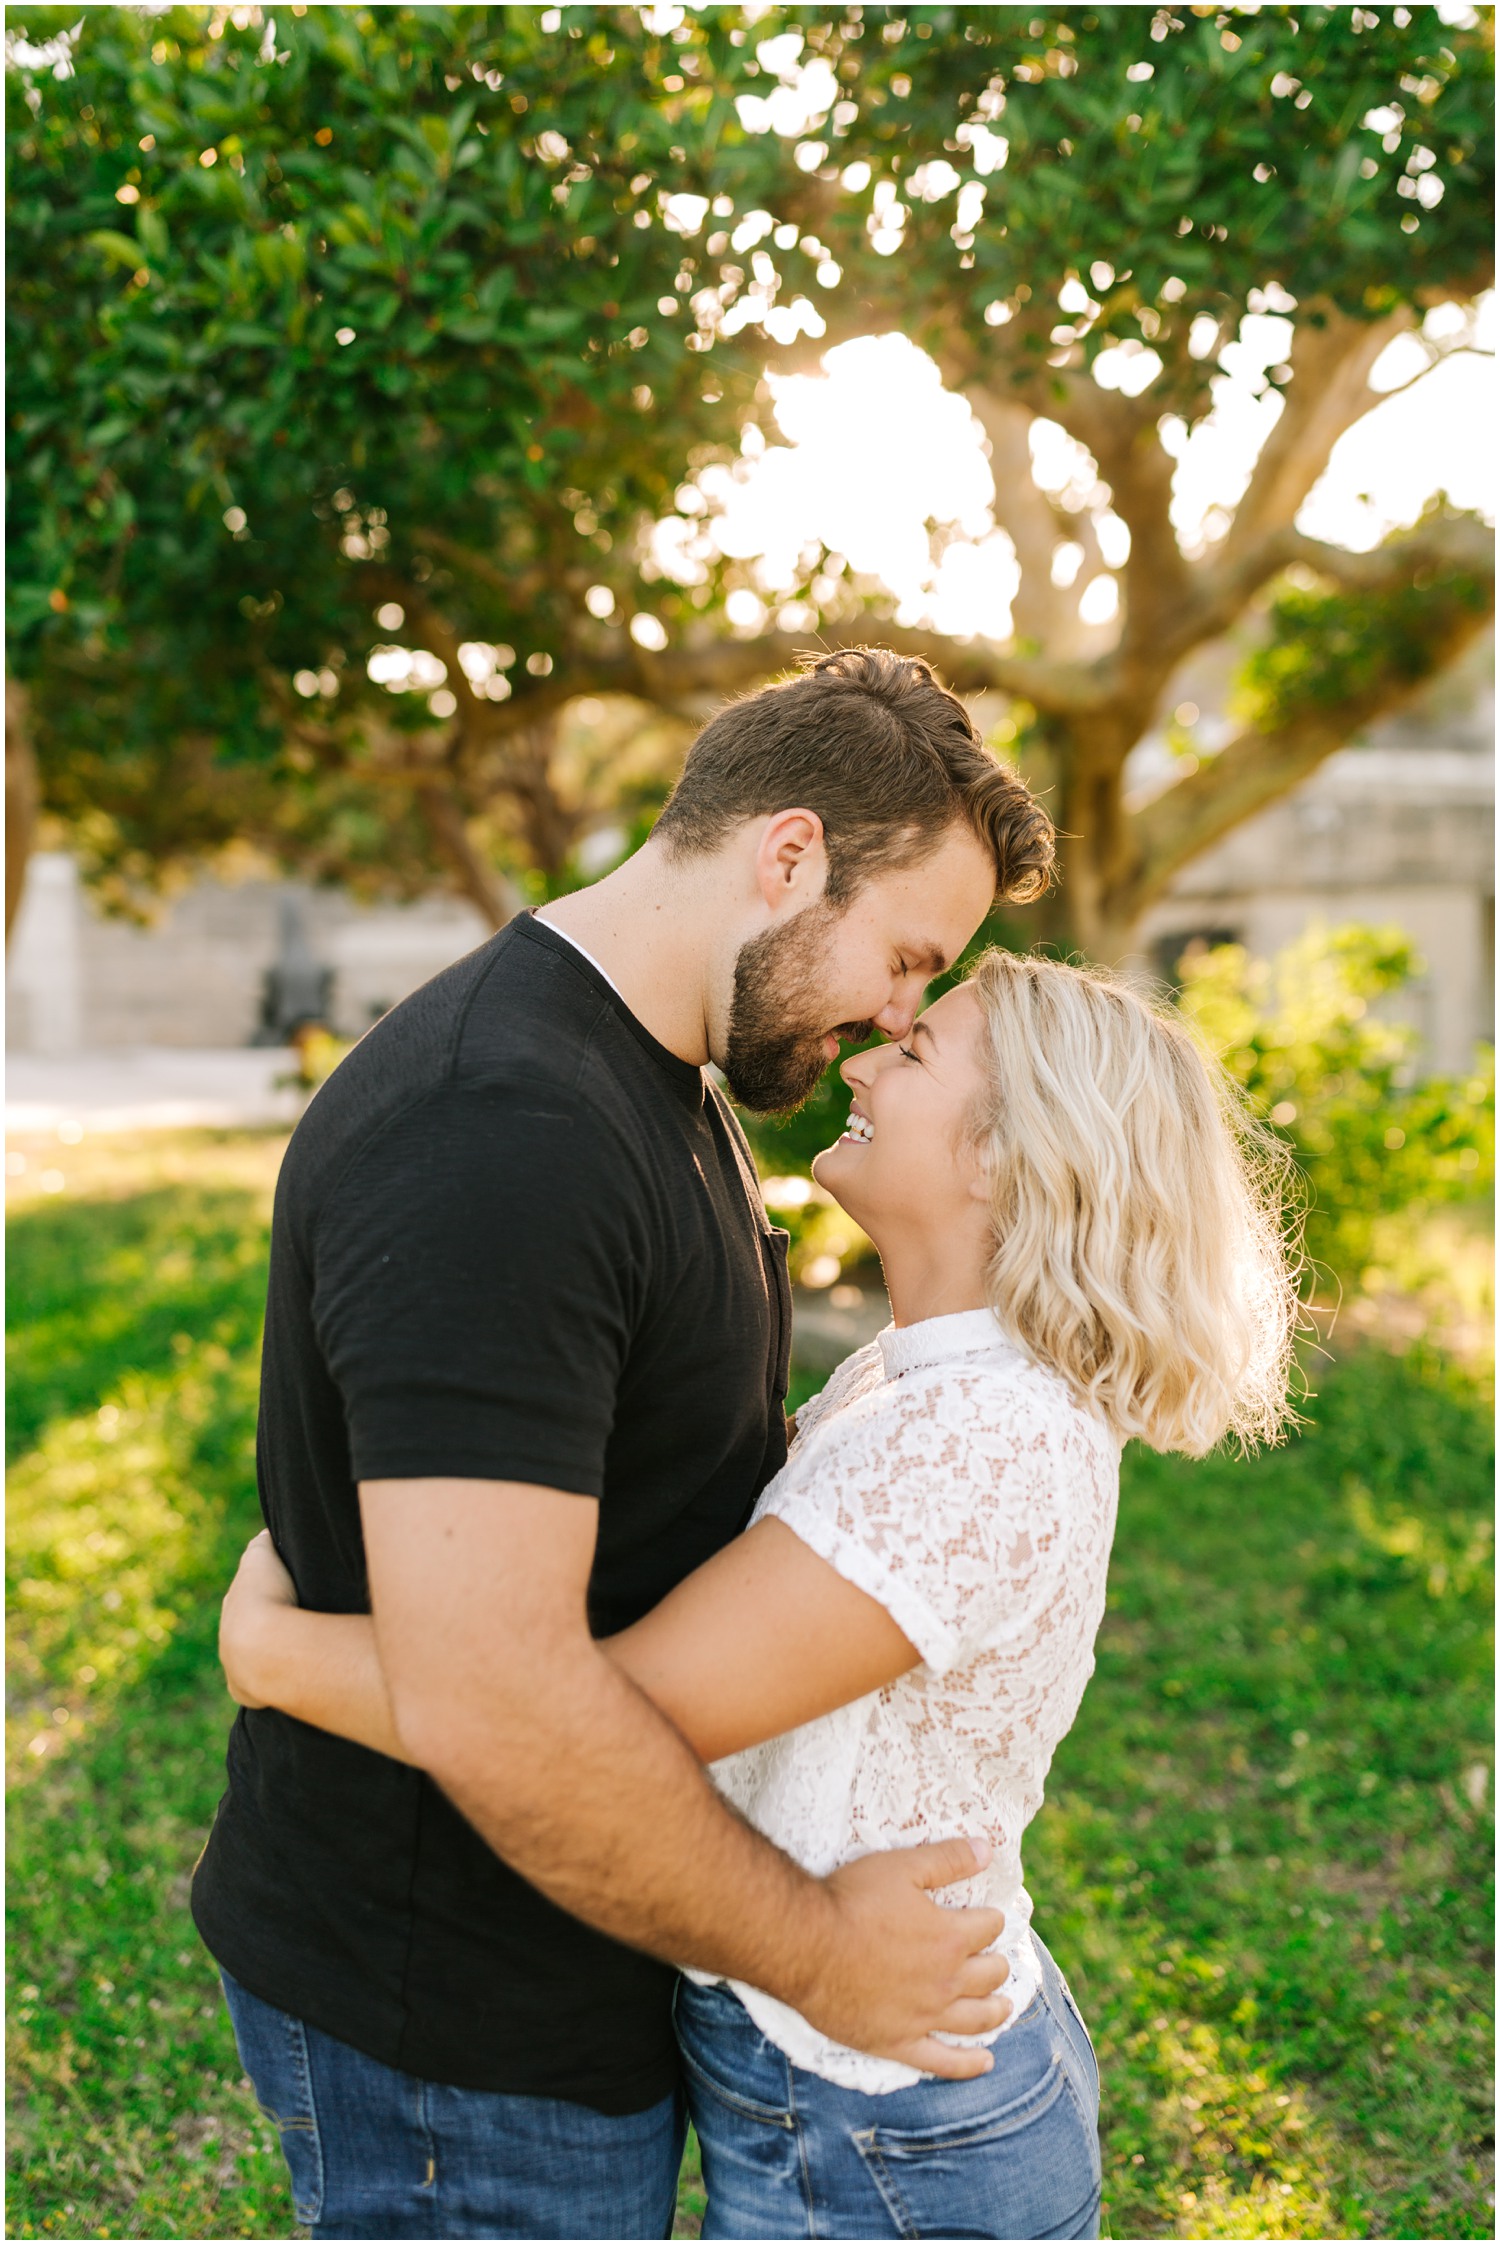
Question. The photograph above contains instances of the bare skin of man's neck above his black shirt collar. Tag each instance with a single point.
(646, 928)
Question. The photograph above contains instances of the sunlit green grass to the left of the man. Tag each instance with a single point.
(136, 1312)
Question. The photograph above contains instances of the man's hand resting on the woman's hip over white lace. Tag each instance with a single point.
(902, 1965)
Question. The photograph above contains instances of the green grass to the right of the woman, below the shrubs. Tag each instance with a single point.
(1265, 1862)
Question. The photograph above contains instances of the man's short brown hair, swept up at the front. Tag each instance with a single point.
(886, 758)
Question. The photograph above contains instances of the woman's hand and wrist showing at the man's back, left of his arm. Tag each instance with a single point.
(324, 1669)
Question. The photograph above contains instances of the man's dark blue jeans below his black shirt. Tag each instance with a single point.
(378, 2154)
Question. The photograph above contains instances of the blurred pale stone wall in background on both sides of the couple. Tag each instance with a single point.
(1400, 830)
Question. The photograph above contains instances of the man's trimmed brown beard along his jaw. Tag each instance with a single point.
(776, 1041)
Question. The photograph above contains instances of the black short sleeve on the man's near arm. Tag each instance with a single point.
(475, 1290)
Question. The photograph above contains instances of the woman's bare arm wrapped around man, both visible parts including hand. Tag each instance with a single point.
(756, 1642)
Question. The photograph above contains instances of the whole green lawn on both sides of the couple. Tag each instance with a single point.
(1265, 1860)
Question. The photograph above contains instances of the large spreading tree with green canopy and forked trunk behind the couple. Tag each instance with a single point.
(219, 495)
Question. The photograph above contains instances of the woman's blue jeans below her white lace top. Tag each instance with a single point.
(792, 2156)
